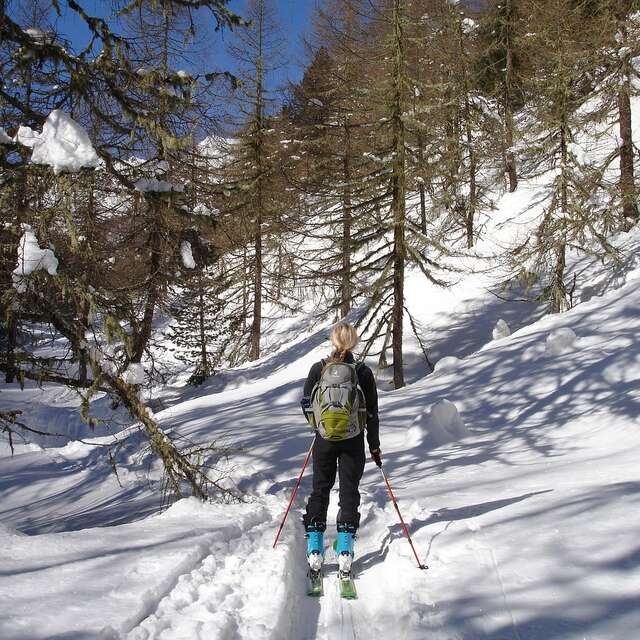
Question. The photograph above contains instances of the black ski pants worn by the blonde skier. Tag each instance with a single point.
(347, 457)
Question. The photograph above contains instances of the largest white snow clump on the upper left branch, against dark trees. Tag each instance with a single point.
(63, 144)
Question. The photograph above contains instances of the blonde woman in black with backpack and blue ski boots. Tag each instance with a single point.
(329, 389)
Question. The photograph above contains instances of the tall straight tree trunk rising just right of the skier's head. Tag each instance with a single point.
(398, 198)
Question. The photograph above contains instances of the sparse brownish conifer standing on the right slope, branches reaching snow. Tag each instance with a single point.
(566, 65)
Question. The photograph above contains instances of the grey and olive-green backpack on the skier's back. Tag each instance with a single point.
(338, 407)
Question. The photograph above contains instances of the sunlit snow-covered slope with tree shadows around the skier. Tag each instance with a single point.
(521, 495)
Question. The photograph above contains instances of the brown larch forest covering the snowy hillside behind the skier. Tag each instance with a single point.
(156, 214)
